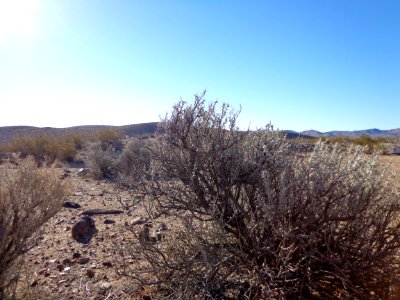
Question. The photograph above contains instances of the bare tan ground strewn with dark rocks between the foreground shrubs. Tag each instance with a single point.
(79, 256)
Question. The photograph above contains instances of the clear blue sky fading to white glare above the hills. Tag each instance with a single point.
(300, 64)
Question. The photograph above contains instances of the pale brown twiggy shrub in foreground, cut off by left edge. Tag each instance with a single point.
(29, 197)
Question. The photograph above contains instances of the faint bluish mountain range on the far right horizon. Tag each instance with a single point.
(374, 132)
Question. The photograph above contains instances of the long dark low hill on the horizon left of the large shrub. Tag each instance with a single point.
(7, 133)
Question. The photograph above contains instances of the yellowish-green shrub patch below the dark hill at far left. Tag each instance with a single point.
(44, 148)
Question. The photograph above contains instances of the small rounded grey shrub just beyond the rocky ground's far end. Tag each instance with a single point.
(102, 162)
